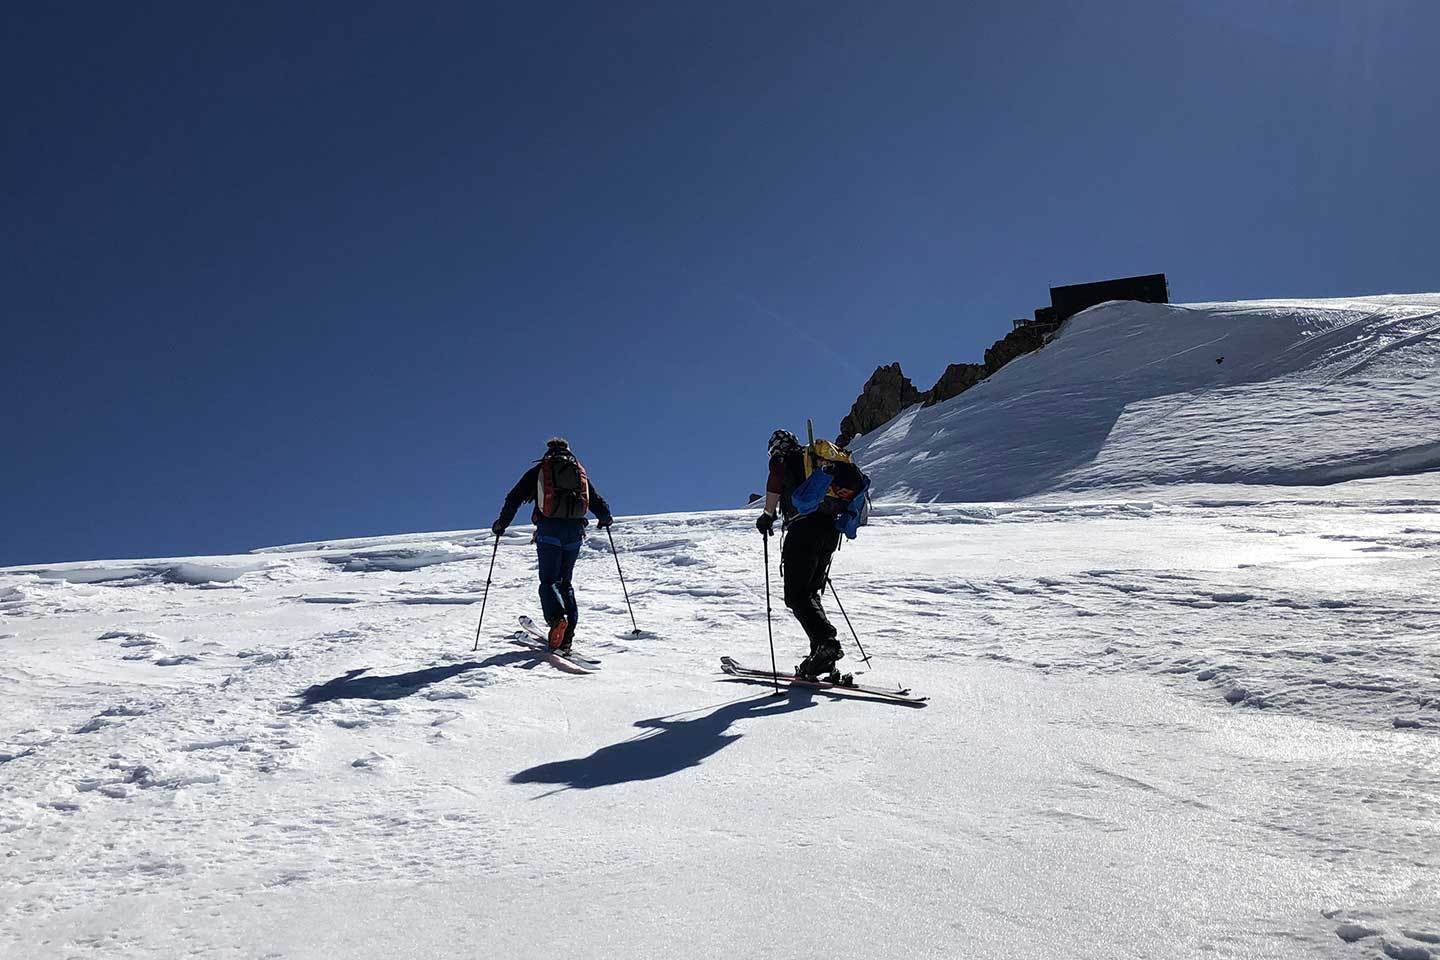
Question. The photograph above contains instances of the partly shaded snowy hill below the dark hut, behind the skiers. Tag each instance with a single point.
(1131, 395)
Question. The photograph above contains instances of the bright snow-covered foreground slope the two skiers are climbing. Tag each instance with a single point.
(1190, 728)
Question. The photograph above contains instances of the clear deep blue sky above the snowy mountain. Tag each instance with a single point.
(276, 273)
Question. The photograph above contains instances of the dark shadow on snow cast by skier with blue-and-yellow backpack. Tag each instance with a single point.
(669, 746)
